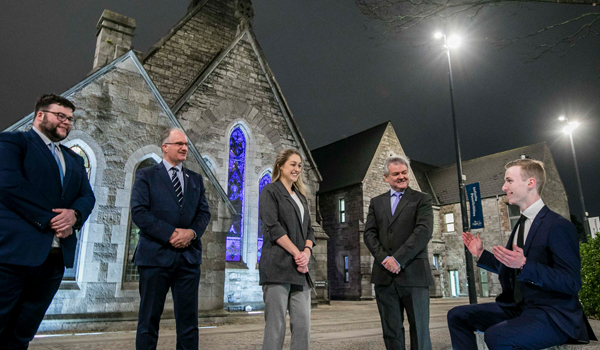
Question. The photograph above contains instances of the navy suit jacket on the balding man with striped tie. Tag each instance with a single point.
(156, 211)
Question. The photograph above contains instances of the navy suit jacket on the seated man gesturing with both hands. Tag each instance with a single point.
(551, 279)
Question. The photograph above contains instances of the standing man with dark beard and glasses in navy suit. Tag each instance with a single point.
(44, 196)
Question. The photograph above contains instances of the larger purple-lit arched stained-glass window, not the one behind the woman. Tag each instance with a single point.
(235, 192)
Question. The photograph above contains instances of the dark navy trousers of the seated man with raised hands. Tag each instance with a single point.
(505, 328)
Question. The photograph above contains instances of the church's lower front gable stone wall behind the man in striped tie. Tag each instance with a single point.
(119, 123)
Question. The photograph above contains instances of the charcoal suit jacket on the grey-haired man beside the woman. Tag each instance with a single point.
(404, 236)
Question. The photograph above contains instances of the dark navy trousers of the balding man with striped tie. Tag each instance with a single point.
(183, 279)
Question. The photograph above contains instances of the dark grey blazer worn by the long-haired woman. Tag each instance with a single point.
(280, 216)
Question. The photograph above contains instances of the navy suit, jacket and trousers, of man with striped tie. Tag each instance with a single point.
(155, 210)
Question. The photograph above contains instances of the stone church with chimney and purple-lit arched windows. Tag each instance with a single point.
(208, 76)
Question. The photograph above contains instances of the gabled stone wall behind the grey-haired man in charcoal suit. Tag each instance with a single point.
(347, 239)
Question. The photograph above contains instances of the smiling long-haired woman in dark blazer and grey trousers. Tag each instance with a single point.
(287, 247)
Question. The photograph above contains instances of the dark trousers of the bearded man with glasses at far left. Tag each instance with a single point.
(25, 294)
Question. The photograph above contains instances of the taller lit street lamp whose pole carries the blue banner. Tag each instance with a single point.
(451, 43)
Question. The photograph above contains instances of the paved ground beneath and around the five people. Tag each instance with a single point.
(343, 325)
